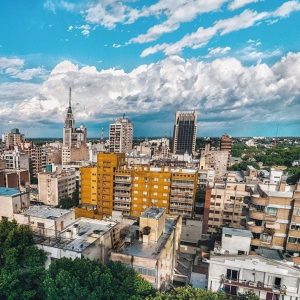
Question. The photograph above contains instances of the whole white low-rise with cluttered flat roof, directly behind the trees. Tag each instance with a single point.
(85, 238)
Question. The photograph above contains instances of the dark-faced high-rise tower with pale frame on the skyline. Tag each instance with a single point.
(185, 132)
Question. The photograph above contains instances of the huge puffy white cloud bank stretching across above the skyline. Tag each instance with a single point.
(223, 90)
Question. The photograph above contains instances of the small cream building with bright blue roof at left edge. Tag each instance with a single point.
(12, 201)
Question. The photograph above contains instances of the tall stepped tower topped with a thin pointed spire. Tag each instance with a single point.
(74, 139)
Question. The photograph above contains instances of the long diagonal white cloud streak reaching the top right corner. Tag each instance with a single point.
(202, 36)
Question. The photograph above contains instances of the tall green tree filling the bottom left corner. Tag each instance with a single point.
(22, 263)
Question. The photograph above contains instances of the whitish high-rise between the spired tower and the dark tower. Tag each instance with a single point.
(120, 136)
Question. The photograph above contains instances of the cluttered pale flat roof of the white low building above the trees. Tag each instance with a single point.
(89, 231)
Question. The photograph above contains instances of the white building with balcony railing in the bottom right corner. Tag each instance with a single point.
(266, 274)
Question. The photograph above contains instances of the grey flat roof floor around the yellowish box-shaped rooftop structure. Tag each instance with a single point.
(150, 250)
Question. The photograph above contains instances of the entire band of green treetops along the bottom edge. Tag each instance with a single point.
(23, 276)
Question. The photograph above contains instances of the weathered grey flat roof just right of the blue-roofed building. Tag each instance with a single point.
(45, 212)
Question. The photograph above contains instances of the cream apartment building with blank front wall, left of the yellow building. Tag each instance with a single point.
(54, 187)
